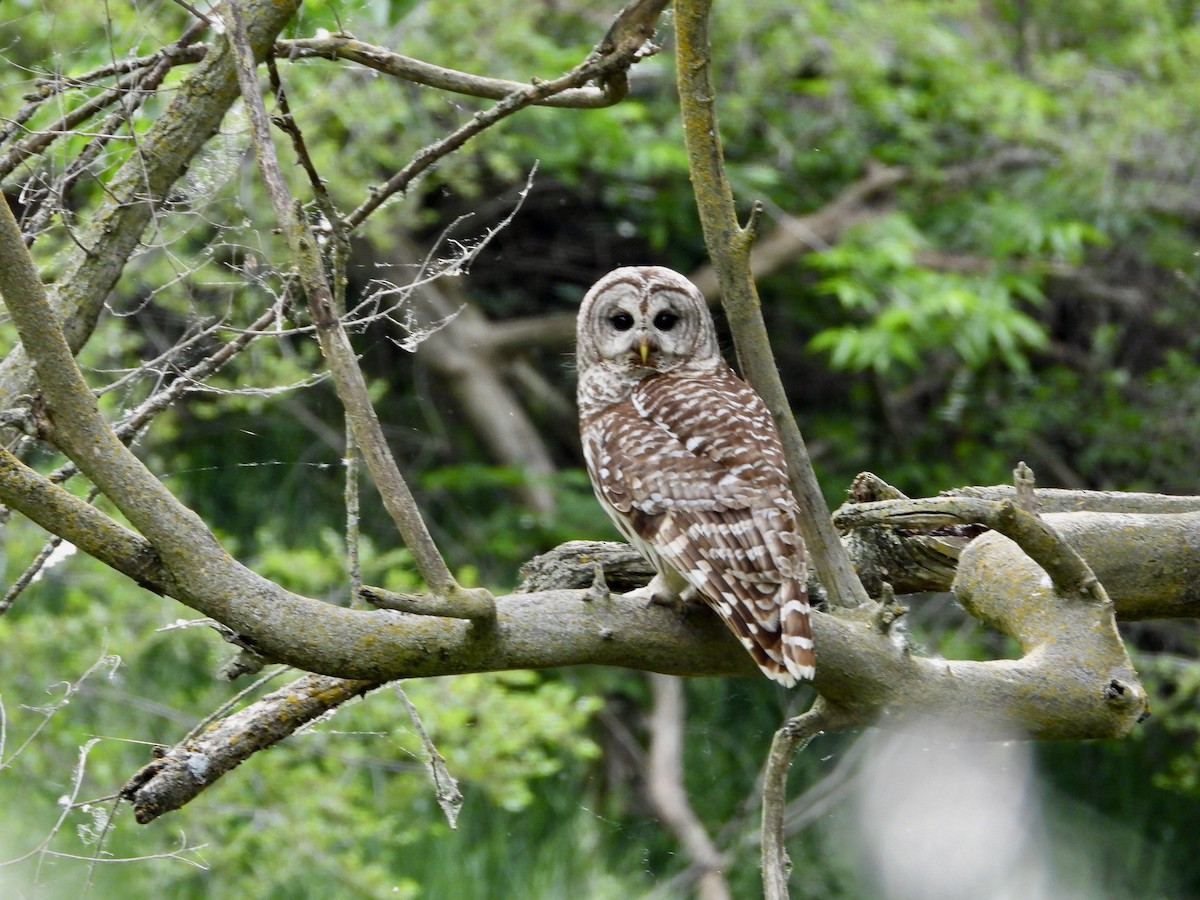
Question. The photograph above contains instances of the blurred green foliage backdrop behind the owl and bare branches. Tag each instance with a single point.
(980, 248)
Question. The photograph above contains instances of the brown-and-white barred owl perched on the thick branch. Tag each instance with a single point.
(685, 458)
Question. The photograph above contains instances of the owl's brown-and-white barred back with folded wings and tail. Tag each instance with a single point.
(697, 469)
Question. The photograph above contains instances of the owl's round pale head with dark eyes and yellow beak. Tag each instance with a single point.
(646, 320)
